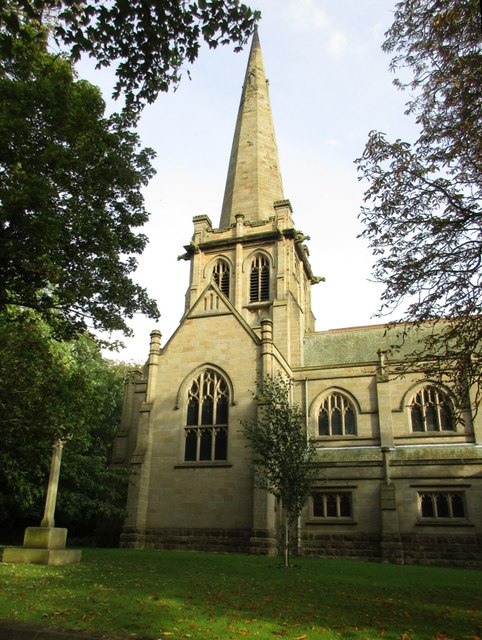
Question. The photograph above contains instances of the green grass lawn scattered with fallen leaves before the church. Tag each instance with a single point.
(202, 595)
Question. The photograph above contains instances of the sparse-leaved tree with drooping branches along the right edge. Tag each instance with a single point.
(424, 219)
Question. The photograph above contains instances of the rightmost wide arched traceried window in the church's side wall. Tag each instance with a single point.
(431, 410)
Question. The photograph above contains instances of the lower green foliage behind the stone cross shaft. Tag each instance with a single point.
(52, 390)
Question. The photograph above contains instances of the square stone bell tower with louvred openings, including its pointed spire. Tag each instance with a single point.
(255, 258)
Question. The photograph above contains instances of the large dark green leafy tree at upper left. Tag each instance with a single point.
(70, 197)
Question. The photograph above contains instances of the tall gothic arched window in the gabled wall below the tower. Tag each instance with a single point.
(206, 432)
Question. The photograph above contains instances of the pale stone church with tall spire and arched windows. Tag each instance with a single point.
(399, 472)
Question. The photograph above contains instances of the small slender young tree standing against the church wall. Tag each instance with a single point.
(282, 453)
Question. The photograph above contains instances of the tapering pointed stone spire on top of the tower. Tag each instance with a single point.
(254, 179)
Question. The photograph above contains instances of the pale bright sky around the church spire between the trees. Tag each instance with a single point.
(330, 85)
